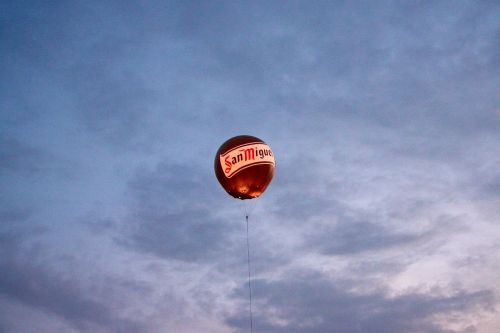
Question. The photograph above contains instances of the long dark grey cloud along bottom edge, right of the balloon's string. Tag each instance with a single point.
(309, 302)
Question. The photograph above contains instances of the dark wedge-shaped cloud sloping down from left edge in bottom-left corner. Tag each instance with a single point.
(30, 279)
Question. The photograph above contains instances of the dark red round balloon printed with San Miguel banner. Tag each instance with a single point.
(244, 166)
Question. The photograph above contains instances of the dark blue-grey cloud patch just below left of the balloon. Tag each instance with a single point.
(175, 217)
